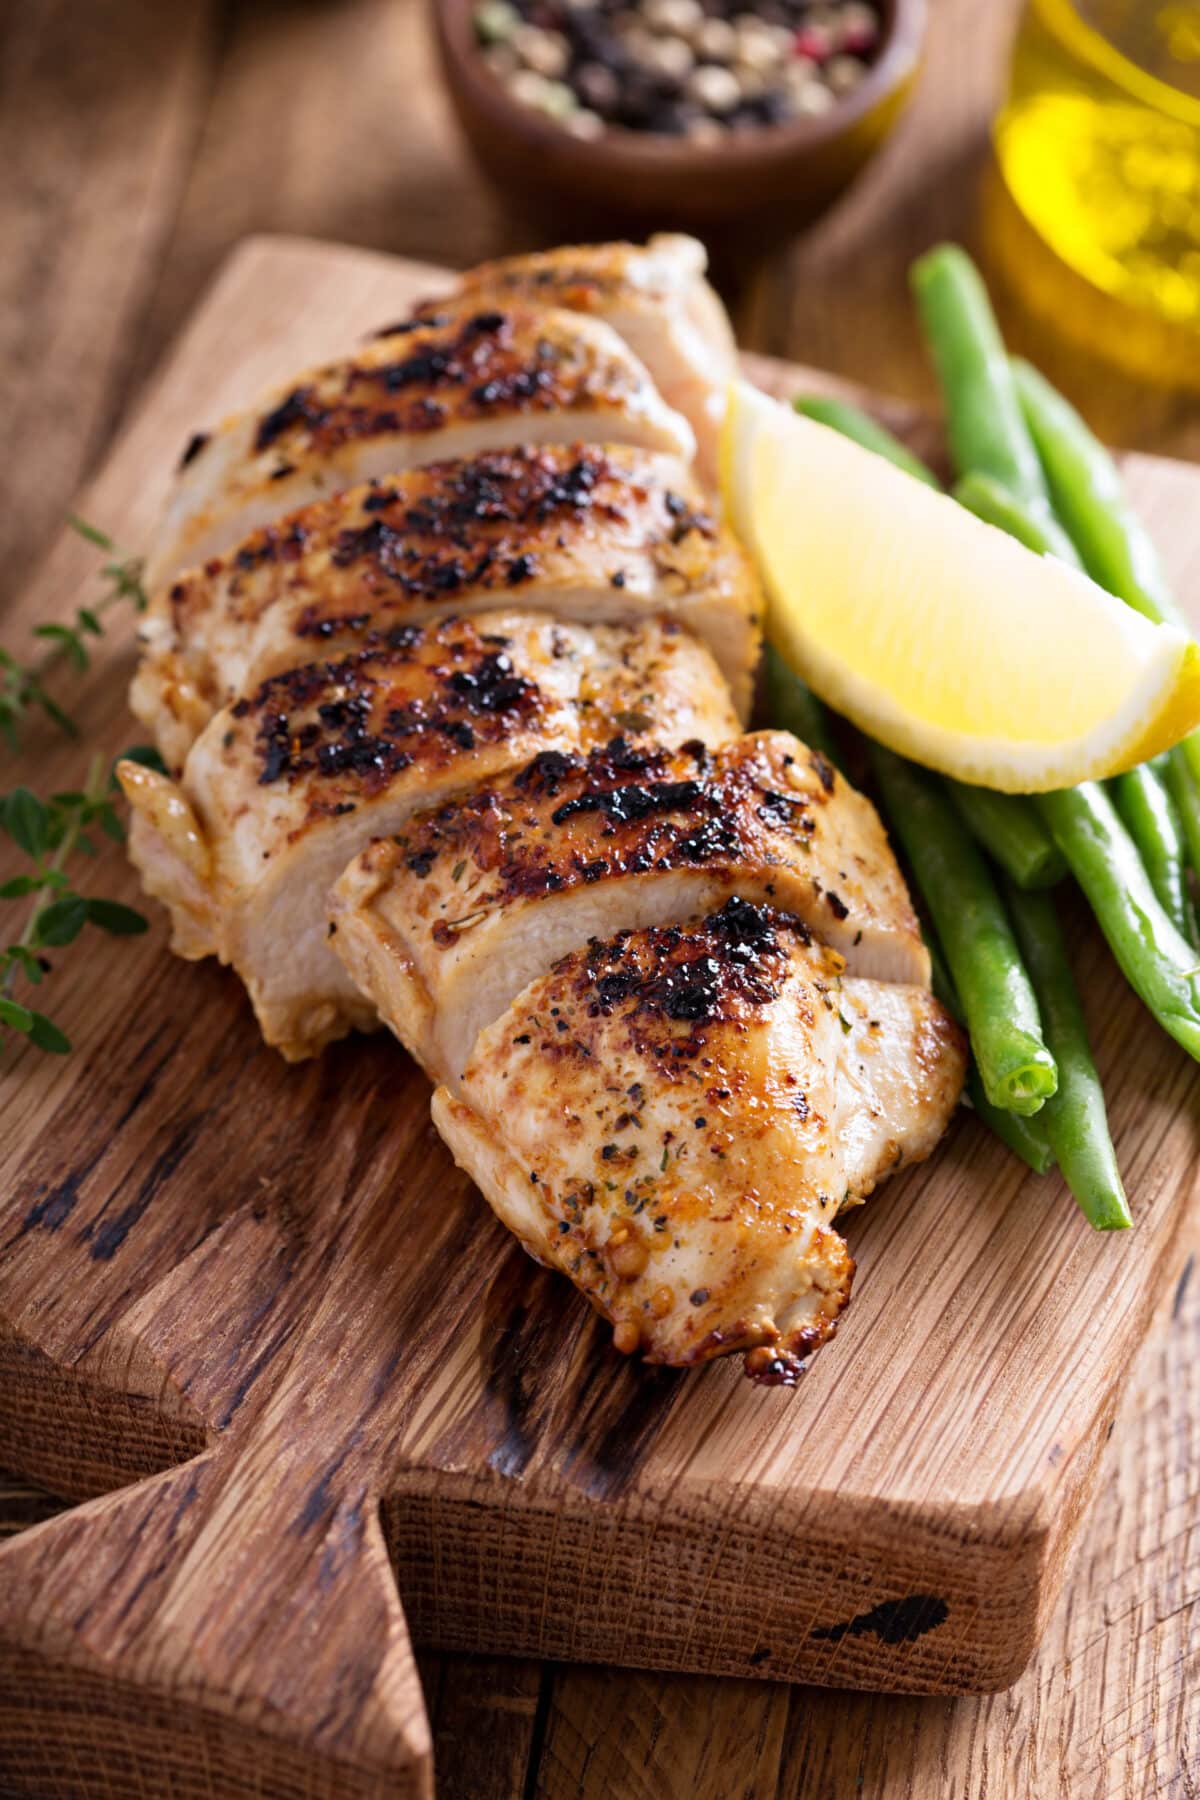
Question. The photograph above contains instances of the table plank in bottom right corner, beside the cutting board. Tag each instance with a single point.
(1111, 1705)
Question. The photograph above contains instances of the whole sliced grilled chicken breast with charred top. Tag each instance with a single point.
(438, 651)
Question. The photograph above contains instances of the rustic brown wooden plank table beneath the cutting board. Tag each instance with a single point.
(139, 143)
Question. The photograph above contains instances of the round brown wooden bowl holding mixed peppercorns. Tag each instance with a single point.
(742, 197)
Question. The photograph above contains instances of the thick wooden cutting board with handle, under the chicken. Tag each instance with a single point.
(316, 1401)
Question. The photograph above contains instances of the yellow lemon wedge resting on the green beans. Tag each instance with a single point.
(935, 633)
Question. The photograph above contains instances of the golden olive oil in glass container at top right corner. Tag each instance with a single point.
(1100, 147)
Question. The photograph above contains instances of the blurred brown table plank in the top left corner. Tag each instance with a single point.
(98, 112)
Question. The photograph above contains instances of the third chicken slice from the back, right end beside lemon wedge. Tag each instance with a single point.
(589, 534)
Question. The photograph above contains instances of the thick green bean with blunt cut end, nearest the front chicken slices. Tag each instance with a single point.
(998, 1000)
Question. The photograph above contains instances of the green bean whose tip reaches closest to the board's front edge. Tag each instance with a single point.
(1075, 1119)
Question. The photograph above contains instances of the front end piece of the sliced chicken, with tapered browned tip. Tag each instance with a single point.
(674, 1120)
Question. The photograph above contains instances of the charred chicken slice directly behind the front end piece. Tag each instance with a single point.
(452, 917)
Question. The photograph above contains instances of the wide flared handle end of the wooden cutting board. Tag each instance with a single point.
(127, 1684)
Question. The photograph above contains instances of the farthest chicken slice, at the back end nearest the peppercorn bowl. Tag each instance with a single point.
(654, 296)
